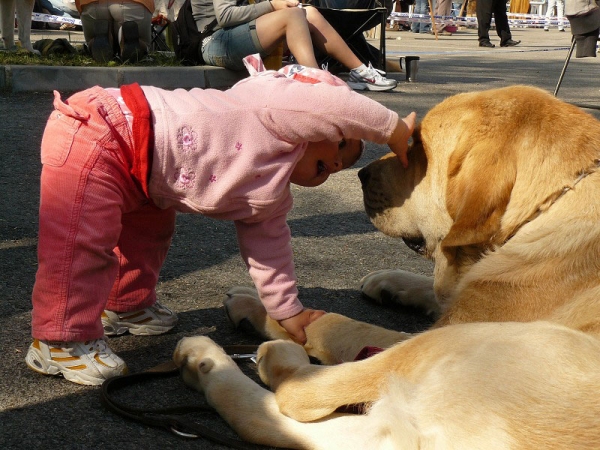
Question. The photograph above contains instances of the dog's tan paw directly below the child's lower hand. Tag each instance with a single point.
(278, 360)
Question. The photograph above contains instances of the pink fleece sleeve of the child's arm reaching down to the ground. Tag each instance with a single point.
(266, 249)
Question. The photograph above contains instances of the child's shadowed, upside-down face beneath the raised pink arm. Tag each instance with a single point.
(321, 159)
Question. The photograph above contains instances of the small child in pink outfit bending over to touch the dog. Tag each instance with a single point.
(118, 164)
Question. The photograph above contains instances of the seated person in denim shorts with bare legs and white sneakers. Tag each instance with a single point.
(260, 27)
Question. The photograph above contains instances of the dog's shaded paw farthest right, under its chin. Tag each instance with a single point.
(398, 287)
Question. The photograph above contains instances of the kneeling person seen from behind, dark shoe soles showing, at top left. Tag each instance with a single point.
(116, 28)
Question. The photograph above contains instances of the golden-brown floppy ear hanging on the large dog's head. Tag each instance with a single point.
(480, 181)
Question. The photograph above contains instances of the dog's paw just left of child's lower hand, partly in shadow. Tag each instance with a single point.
(246, 312)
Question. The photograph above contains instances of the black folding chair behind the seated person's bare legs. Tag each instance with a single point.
(351, 18)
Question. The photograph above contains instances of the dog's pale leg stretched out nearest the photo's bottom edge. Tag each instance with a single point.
(253, 411)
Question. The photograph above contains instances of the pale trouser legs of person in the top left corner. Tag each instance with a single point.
(24, 9)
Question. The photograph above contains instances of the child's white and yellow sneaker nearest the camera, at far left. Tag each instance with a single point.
(89, 363)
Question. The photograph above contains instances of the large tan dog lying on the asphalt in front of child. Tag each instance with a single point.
(503, 192)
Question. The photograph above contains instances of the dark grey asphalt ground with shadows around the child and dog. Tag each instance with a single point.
(334, 244)
